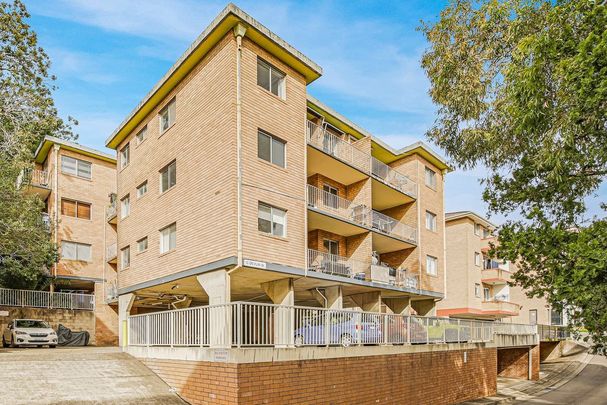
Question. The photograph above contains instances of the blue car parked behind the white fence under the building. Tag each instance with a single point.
(344, 328)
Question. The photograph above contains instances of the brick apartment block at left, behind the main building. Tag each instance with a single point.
(75, 181)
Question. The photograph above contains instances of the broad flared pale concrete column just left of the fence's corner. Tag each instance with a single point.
(216, 284)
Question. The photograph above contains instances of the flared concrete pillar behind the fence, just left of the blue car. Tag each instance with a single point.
(281, 292)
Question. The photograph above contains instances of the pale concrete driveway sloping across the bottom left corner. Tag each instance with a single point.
(78, 376)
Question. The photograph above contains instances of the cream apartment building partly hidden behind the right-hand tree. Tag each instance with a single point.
(478, 283)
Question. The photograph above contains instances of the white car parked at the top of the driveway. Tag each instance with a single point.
(29, 332)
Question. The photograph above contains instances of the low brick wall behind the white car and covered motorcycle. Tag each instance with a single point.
(75, 320)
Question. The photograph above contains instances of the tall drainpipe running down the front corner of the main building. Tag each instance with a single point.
(239, 31)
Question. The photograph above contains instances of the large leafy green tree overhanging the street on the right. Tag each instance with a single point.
(521, 89)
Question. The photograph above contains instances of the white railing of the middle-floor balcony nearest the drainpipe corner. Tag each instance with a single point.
(338, 206)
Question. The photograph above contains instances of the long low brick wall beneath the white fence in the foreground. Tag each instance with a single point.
(439, 377)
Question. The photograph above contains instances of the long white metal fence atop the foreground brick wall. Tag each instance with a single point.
(246, 324)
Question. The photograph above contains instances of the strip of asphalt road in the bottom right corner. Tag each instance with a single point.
(587, 388)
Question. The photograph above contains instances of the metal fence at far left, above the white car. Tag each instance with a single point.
(45, 299)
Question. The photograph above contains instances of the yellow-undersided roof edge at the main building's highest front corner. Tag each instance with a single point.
(223, 23)
